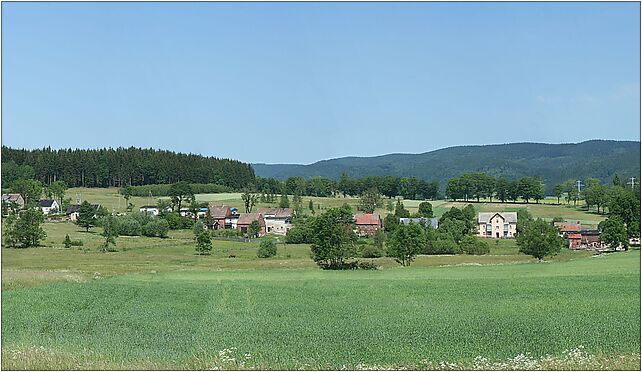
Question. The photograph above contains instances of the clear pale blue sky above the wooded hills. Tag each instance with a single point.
(297, 83)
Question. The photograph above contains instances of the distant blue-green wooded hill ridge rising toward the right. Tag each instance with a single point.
(553, 162)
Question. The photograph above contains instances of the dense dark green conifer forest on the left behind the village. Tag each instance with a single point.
(121, 167)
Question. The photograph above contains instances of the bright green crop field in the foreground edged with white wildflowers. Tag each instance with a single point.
(440, 317)
